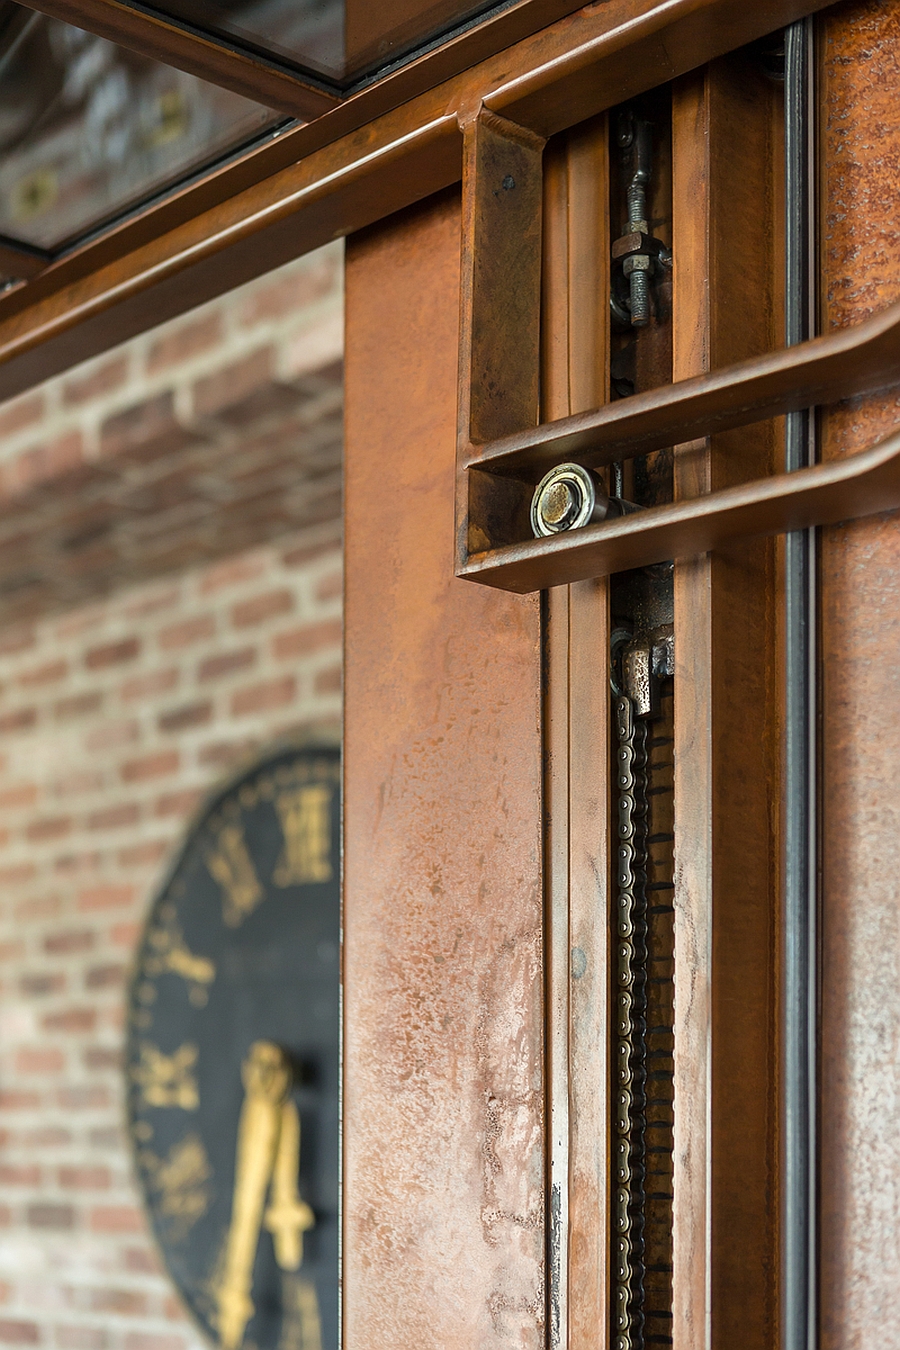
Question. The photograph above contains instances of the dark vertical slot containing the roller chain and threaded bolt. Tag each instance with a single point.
(643, 761)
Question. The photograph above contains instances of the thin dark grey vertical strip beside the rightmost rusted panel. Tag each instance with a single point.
(799, 979)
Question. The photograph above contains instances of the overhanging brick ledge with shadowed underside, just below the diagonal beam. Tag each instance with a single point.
(202, 438)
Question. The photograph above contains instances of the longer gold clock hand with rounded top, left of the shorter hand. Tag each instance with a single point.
(266, 1077)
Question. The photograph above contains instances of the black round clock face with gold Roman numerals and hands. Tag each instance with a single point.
(233, 1060)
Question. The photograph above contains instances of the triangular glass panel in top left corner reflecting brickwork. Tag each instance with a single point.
(88, 129)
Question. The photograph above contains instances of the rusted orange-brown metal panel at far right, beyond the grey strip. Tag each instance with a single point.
(860, 1120)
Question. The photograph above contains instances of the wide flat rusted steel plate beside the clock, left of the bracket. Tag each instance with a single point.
(445, 1136)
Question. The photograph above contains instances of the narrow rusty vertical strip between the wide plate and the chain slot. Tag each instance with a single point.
(574, 375)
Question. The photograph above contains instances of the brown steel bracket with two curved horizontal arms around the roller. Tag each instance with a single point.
(499, 472)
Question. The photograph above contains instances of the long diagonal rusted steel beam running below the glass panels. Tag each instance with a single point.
(353, 167)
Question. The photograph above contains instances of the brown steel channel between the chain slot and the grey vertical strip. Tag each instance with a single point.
(727, 745)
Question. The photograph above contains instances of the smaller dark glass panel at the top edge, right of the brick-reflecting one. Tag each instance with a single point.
(338, 40)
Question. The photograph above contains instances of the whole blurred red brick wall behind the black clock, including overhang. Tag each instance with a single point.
(133, 676)
